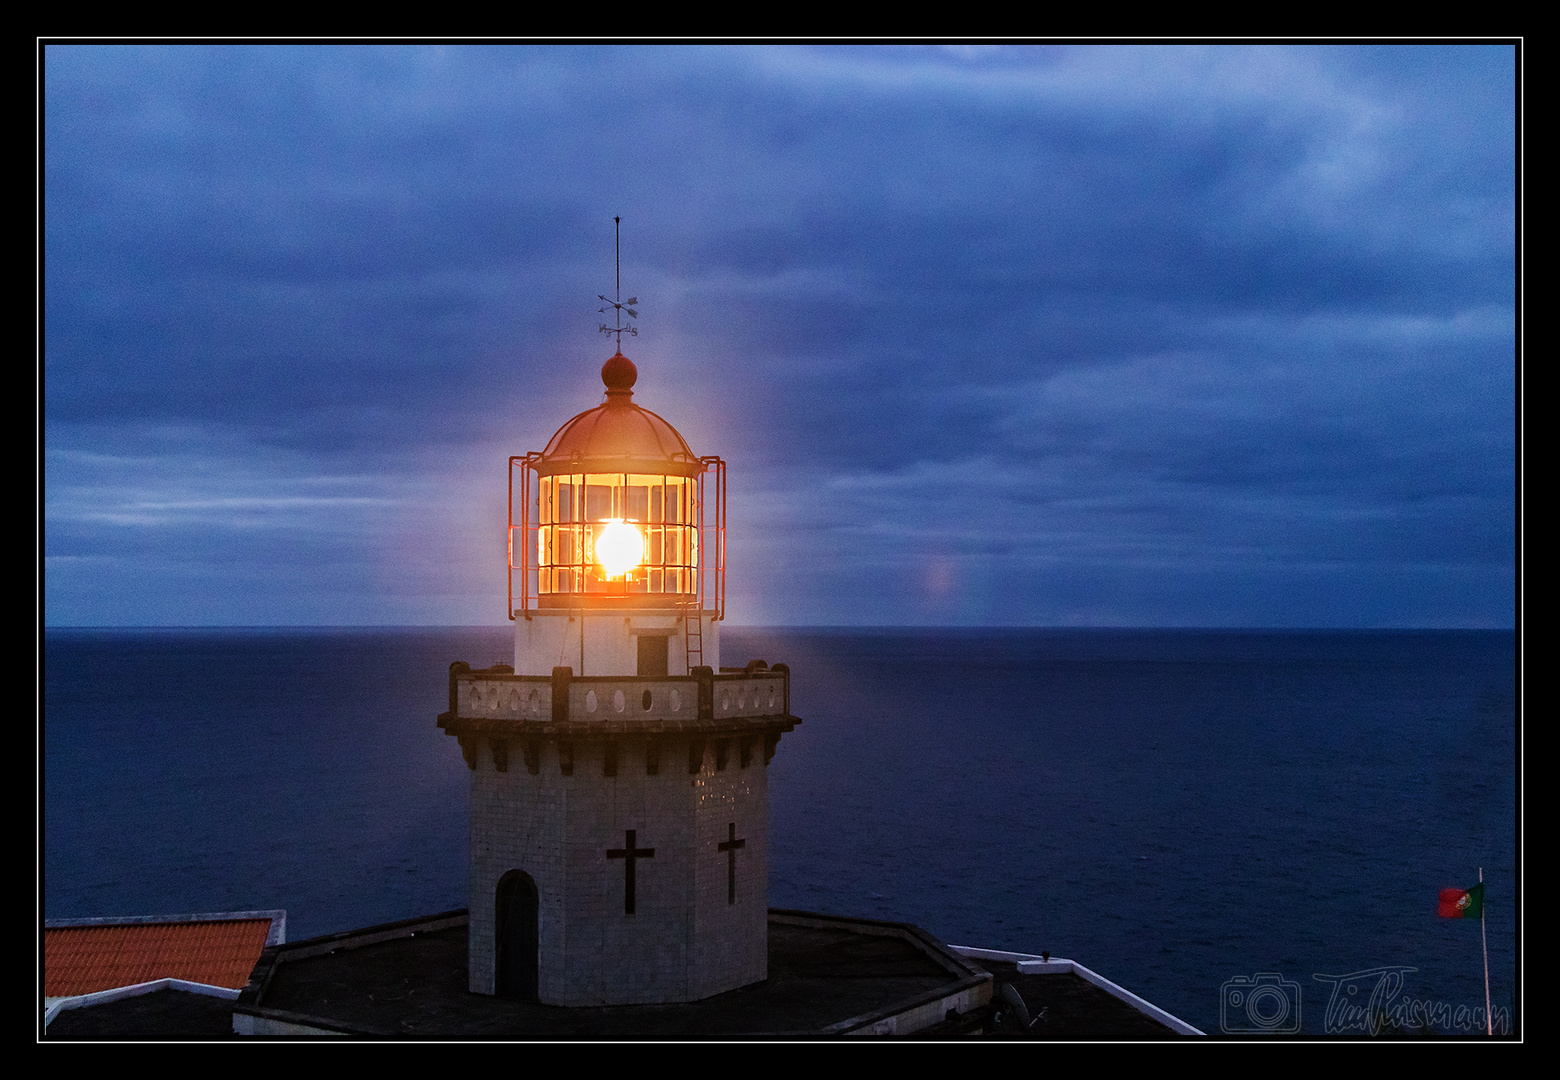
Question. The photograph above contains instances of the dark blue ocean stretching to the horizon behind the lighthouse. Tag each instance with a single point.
(1180, 811)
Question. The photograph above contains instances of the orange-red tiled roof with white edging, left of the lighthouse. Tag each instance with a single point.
(88, 959)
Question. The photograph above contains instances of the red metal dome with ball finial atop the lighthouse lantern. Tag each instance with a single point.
(619, 436)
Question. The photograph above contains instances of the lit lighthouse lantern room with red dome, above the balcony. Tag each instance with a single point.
(617, 561)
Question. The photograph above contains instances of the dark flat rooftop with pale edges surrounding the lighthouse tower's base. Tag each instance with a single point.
(828, 978)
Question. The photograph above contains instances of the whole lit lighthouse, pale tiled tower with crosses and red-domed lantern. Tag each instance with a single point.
(620, 805)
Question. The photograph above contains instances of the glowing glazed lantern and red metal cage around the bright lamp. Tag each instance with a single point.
(564, 514)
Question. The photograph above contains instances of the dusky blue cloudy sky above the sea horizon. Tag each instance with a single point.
(1024, 335)
